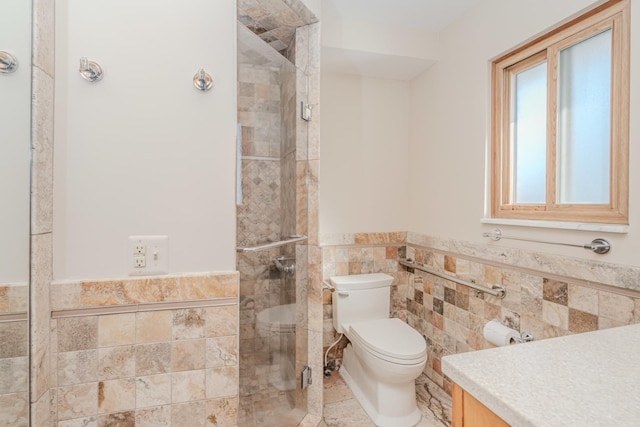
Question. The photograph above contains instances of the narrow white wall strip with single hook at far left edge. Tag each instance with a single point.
(15, 131)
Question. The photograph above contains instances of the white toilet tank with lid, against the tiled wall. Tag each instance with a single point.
(360, 297)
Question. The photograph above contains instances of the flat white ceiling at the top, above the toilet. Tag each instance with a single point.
(427, 15)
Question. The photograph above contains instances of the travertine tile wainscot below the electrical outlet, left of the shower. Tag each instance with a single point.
(146, 352)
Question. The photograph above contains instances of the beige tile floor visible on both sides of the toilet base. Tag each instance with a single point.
(342, 409)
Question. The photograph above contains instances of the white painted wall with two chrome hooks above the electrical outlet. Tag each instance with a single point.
(142, 151)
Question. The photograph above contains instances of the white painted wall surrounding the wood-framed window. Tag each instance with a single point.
(449, 129)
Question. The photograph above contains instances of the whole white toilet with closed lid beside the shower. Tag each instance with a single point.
(385, 355)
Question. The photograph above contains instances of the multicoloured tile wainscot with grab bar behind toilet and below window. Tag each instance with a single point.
(451, 316)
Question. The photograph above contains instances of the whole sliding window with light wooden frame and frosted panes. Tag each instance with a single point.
(560, 122)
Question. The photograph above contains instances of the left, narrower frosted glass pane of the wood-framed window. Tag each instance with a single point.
(530, 135)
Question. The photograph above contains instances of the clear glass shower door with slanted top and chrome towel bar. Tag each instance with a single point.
(272, 229)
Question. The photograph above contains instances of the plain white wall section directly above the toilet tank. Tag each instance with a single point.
(363, 172)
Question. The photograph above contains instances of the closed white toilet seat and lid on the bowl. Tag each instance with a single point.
(389, 339)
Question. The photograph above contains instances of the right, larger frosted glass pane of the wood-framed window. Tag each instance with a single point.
(584, 122)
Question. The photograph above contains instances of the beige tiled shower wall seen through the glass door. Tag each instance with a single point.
(277, 184)
